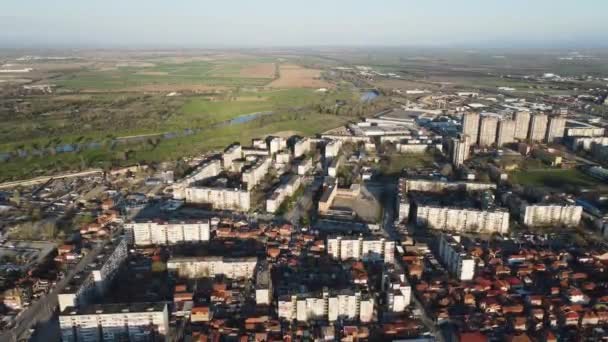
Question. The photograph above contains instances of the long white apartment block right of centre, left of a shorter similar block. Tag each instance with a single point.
(463, 220)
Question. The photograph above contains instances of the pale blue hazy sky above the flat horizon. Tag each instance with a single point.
(291, 23)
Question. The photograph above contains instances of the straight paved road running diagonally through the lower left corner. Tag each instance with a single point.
(43, 309)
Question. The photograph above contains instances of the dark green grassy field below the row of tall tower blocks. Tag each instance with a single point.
(559, 179)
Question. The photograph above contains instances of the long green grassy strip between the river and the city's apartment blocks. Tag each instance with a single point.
(170, 149)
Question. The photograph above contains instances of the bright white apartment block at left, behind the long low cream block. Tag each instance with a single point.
(167, 233)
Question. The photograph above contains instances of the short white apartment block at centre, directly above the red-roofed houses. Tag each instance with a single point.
(359, 248)
